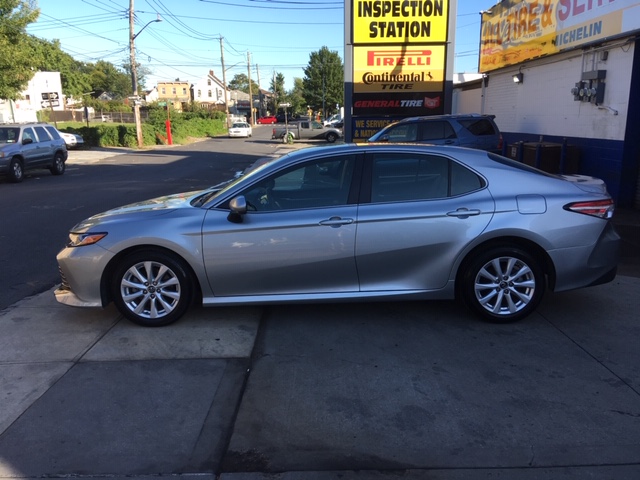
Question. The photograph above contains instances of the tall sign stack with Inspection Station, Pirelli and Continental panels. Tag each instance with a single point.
(399, 60)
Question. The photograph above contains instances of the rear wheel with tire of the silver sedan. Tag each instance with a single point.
(503, 284)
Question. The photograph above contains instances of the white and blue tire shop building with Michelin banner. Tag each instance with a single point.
(562, 78)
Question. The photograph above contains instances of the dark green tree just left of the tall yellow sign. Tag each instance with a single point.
(324, 81)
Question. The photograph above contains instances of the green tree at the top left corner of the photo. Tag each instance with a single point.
(18, 51)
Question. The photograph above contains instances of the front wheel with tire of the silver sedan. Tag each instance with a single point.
(152, 288)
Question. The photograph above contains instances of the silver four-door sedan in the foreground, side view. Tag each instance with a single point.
(350, 222)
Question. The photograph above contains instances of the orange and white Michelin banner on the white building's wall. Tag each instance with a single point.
(514, 31)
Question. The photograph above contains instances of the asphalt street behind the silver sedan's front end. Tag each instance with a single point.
(38, 213)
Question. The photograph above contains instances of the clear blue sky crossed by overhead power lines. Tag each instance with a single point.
(276, 35)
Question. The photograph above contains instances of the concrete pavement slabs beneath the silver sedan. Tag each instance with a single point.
(361, 390)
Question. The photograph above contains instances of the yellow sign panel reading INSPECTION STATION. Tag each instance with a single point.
(400, 21)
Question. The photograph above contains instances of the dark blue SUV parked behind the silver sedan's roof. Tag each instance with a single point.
(471, 130)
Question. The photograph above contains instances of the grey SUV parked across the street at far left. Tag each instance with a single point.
(28, 146)
